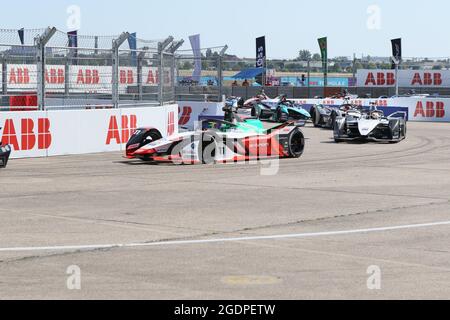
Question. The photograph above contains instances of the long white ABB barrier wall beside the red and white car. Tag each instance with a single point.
(52, 133)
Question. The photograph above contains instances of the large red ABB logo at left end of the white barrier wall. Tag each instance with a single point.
(28, 137)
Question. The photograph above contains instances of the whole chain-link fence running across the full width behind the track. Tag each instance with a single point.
(43, 69)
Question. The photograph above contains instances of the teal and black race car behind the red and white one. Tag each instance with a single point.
(278, 110)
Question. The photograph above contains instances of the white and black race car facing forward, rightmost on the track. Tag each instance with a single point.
(371, 125)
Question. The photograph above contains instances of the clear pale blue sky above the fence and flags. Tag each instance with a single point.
(289, 25)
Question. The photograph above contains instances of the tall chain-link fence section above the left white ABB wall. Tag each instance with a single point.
(47, 71)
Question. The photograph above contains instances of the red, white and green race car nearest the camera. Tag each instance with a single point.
(219, 141)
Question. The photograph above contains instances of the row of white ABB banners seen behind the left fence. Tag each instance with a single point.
(82, 79)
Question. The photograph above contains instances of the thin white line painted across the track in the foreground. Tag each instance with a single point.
(206, 241)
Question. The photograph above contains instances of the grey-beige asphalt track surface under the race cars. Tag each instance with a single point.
(311, 231)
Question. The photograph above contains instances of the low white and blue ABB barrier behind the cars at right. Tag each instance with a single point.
(418, 109)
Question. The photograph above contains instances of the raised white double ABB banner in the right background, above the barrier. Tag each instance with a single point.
(406, 78)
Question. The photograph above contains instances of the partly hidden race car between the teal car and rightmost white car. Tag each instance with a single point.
(325, 116)
